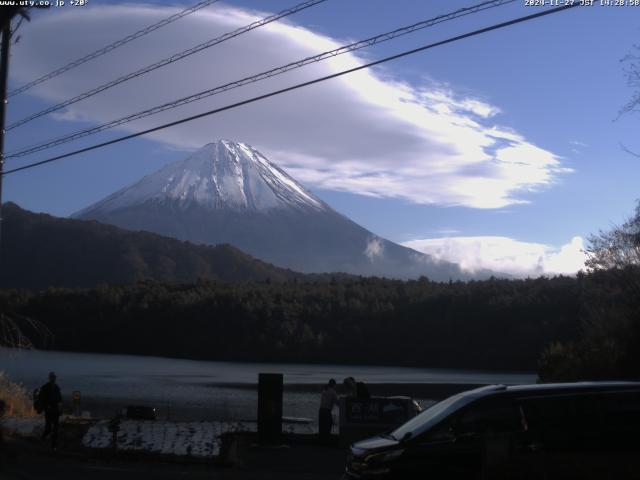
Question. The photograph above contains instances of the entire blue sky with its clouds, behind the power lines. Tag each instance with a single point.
(555, 83)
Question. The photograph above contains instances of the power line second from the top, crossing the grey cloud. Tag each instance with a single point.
(169, 60)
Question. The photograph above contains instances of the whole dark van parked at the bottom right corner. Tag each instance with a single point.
(550, 431)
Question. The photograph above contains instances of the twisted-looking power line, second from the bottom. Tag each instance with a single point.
(260, 76)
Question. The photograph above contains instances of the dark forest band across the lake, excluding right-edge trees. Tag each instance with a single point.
(493, 324)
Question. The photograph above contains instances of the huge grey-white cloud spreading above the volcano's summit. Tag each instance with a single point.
(363, 133)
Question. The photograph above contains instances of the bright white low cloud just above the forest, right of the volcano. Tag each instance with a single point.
(504, 254)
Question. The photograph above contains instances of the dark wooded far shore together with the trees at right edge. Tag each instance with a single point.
(566, 328)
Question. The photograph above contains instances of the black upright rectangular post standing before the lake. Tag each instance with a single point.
(269, 407)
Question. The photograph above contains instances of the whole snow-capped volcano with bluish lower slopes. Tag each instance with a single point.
(228, 192)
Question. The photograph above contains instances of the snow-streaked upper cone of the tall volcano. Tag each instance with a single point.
(221, 175)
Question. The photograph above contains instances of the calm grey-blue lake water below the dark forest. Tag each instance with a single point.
(189, 389)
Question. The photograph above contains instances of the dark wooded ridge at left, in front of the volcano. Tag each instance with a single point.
(40, 251)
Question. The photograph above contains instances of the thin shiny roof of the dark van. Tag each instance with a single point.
(551, 388)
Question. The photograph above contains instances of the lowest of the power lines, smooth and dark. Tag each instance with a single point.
(298, 86)
